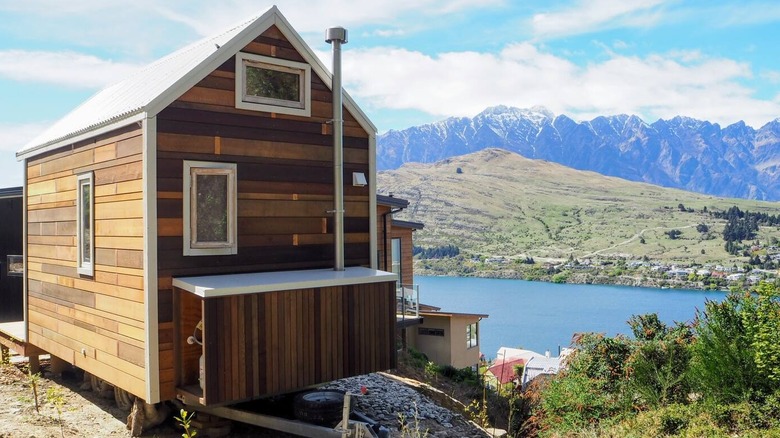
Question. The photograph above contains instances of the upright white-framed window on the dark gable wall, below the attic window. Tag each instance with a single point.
(209, 208)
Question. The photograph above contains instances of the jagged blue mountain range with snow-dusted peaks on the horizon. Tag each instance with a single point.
(737, 161)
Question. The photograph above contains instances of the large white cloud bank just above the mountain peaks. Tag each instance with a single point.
(464, 83)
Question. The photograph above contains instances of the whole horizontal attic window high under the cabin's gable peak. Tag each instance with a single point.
(273, 85)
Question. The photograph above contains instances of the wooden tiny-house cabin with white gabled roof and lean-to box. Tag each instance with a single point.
(201, 189)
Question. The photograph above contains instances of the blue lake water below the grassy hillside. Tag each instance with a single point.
(543, 316)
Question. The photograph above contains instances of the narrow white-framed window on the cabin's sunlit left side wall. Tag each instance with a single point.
(85, 205)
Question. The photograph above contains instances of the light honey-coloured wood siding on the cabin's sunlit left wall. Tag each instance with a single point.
(94, 323)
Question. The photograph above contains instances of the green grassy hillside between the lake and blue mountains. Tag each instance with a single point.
(497, 203)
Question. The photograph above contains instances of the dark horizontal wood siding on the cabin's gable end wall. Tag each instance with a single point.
(285, 186)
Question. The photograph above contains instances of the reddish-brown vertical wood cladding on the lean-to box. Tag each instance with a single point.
(270, 343)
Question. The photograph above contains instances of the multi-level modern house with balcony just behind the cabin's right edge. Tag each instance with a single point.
(447, 338)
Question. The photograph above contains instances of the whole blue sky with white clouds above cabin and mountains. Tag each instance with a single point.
(411, 62)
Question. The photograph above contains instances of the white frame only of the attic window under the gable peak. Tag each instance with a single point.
(256, 103)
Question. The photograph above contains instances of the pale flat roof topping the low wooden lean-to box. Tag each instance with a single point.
(208, 286)
